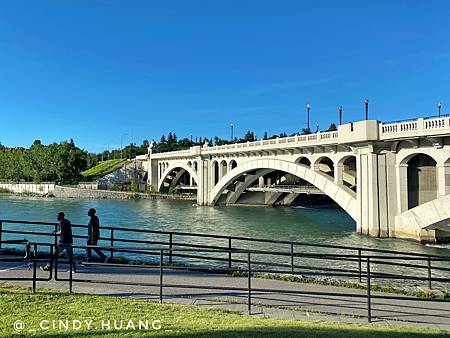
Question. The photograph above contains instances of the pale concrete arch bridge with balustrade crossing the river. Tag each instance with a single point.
(393, 179)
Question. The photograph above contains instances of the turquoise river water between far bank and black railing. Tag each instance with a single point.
(320, 226)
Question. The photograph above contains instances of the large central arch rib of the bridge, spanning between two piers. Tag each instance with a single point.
(342, 196)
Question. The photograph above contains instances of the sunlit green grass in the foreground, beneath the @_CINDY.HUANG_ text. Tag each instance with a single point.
(18, 303)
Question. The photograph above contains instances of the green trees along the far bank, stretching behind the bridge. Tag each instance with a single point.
(63, 162)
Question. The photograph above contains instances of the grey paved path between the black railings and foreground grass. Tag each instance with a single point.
(280, 304)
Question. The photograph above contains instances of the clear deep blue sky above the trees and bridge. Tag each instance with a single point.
(105, 72)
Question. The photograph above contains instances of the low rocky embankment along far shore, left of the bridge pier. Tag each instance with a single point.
(66, 192)
